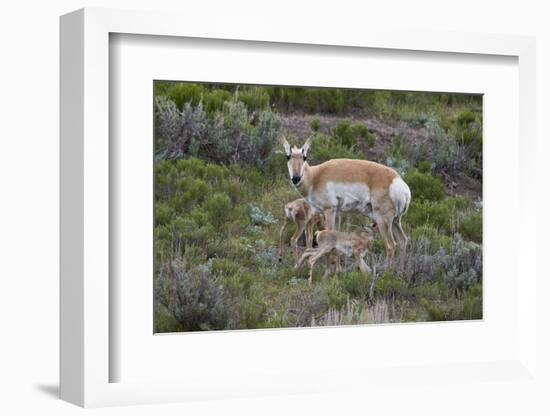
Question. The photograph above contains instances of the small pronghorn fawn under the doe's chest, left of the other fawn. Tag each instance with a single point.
(305, 217)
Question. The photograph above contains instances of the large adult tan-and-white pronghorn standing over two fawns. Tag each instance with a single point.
(353, 185)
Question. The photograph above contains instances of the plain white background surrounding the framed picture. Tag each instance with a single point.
(29, 206)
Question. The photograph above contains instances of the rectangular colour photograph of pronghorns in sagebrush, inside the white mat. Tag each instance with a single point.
(307, 206)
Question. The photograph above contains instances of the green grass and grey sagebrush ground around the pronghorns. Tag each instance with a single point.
(218, 217)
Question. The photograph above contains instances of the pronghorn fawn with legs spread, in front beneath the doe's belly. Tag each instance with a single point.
(349, 244)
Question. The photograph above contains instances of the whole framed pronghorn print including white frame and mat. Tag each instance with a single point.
(267, 214)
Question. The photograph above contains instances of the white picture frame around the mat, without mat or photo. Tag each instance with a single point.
(85, 264)
